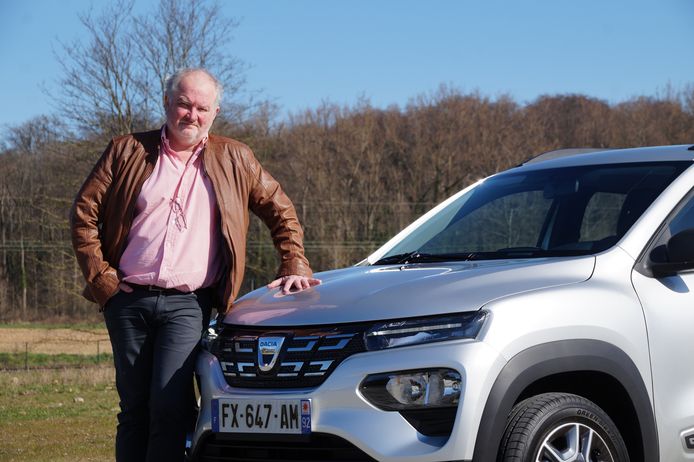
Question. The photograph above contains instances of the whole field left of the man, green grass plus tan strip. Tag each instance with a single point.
(50, 415)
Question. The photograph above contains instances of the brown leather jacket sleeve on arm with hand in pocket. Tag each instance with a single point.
(85, 221)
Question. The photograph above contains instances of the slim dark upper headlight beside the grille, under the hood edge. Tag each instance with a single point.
(424, 330)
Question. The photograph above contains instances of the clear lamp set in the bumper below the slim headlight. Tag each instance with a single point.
(404, 390)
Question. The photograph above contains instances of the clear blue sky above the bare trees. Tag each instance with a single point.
(303, 52)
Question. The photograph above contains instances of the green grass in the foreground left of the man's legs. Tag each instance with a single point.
(58, 415)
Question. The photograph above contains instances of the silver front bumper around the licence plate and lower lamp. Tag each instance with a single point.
(340, 410)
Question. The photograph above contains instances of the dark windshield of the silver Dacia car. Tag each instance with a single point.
(540, 213)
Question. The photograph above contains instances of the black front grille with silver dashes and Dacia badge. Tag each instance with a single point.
(305, 358)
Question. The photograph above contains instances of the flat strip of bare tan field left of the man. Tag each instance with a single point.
(54, 341)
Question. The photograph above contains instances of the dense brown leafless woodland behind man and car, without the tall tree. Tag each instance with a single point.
(356, 174)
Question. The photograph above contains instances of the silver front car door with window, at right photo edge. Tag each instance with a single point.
(668, 304)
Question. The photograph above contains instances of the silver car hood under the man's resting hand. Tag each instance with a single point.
(369, 293)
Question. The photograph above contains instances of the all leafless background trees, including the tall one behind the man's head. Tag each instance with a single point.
(357, 174)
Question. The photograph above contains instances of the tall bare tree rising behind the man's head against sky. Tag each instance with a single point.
(112, 83)
